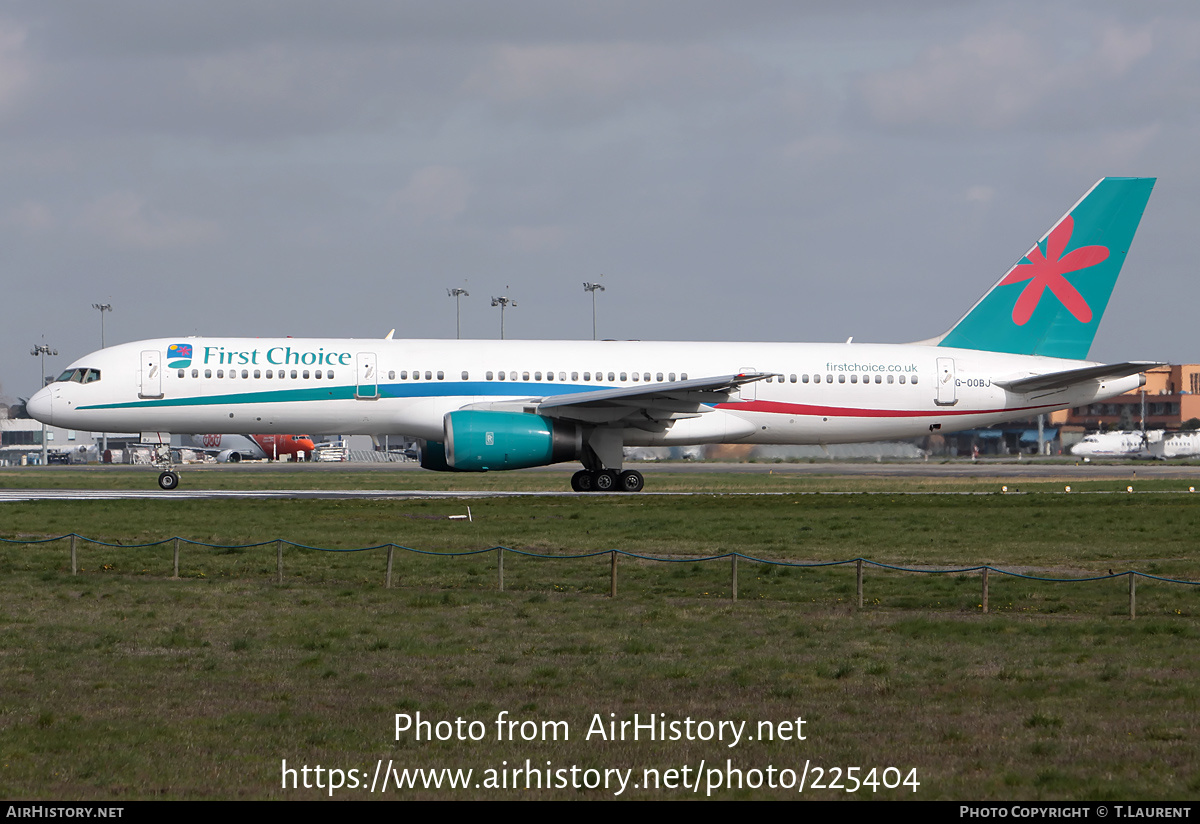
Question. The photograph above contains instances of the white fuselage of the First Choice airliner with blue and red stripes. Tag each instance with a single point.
(824, 394)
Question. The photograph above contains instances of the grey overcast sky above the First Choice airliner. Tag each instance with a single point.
(729, 171)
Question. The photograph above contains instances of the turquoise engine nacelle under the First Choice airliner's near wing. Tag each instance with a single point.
(477, 442)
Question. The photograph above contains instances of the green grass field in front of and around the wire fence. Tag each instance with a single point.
(121, 683)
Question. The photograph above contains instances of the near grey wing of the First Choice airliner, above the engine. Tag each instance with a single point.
(658, 402)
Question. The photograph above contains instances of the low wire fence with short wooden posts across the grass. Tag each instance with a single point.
(985, 570)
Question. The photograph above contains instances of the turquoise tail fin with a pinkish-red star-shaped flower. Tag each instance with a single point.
(1052, 302)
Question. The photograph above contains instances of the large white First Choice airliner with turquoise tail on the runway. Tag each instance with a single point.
(482, 406)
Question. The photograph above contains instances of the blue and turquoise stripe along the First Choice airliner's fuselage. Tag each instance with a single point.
(417, 390)
